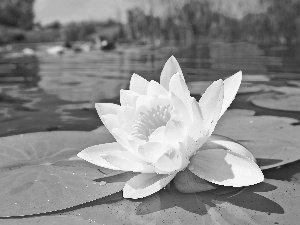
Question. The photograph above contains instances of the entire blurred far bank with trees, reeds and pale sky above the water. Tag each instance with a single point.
(150, 21)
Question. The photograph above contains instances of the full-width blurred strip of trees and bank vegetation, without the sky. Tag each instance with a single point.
(193, 20)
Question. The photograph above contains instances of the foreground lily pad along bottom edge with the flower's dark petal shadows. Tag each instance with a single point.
(270, 202)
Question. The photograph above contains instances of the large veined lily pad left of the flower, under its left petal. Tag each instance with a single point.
(40, 172)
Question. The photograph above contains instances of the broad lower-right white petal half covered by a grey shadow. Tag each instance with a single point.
(226, 168)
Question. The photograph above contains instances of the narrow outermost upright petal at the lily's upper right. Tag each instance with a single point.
(231, 86)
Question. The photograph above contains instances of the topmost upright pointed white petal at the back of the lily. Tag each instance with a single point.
(171, 67)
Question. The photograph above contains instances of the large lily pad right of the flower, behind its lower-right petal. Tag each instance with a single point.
(274, 141)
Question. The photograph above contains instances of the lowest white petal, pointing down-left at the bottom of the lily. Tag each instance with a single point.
(144, 185)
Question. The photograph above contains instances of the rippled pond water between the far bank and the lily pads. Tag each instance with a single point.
(45, 92)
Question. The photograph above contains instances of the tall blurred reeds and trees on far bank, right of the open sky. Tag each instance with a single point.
(196, 19)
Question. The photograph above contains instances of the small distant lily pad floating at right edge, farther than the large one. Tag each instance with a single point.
(284, 102)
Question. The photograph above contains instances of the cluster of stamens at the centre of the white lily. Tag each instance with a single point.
(148, 122)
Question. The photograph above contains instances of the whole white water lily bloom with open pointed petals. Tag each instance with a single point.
(160, 130)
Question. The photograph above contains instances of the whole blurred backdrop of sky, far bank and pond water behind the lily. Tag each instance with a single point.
(59, 57)
